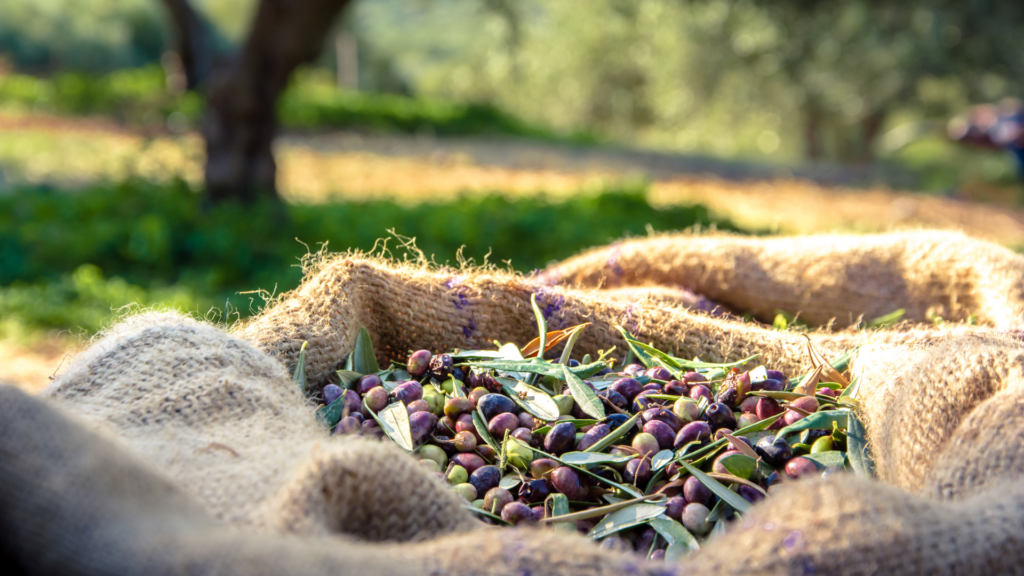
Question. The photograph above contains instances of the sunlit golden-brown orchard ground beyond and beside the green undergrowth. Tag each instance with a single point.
(338, 167)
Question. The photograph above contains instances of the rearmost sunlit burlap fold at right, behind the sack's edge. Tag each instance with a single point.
(825, 278)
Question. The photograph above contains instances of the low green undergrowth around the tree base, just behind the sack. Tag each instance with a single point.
(147, 243)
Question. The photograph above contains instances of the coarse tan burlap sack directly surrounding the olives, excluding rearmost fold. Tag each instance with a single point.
(170, 446)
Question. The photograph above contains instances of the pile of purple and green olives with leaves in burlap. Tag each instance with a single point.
(688, 449)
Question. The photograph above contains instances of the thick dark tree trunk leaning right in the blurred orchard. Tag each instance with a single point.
(241, 118)
